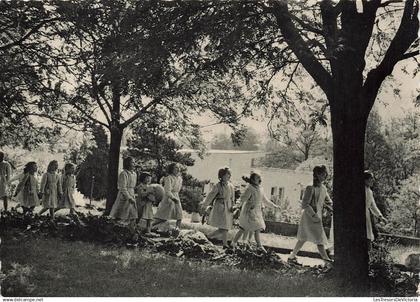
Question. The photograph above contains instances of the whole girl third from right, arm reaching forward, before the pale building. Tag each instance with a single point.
(251, 217)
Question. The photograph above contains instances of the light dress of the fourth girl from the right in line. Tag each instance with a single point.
(222, 198)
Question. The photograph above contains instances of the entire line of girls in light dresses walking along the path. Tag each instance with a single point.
(134, 201)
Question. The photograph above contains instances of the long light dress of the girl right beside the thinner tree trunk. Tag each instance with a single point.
(124, 209)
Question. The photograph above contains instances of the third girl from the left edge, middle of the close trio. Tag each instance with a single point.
(51, 189)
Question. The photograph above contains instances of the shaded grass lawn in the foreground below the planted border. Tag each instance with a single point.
(63, 268)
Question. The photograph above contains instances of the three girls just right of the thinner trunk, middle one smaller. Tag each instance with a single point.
(135, 202)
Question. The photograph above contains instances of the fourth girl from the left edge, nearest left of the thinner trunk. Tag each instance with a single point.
(68, 182)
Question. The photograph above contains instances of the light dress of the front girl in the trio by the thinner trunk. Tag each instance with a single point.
(168, 209)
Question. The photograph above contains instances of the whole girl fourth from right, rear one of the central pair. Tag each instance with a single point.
(221, 200)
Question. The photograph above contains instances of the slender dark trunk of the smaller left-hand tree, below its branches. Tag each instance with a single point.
(113, 163)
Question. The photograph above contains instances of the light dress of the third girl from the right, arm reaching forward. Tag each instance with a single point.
(251, 217)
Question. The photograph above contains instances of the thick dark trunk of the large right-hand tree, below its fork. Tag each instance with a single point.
(351, 253)
